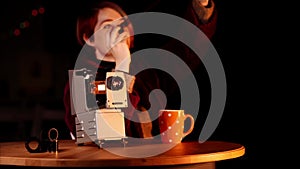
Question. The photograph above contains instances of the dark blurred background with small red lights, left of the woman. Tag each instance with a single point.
(37, 45)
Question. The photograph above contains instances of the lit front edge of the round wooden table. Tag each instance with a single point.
(147, 161)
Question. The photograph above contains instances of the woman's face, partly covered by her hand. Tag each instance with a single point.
(106, 17)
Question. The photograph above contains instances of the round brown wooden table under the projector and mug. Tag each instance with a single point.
(183, 155)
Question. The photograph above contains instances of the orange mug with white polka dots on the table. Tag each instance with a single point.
(171, 125)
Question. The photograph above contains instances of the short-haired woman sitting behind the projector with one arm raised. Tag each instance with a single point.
(108, 36)
